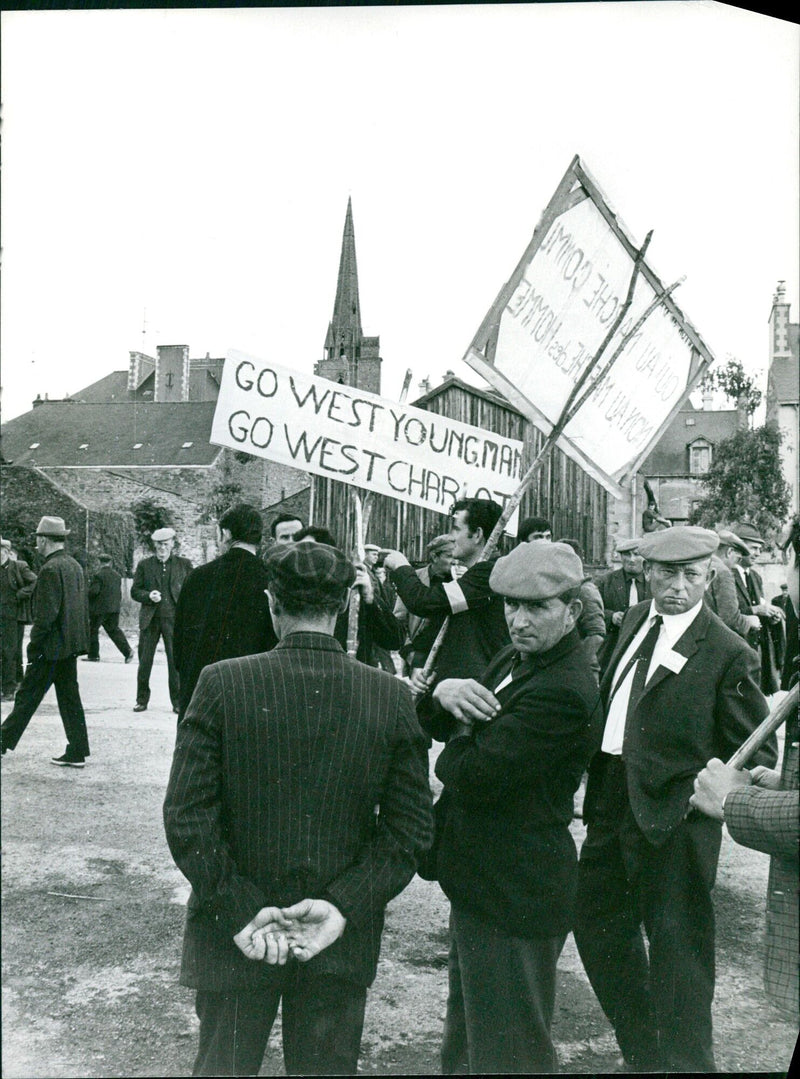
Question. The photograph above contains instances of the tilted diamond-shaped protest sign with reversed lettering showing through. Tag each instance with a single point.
(552, 317)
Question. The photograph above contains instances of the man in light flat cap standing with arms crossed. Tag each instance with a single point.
(523, 735)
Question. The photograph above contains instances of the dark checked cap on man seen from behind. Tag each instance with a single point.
(309, 572)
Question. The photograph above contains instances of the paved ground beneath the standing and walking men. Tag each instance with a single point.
(93, 920)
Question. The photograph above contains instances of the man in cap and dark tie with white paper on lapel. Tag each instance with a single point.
(681, 688)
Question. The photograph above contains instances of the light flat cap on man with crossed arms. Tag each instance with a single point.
(537, 571)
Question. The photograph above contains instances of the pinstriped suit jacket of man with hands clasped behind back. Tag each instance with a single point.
(280, 764)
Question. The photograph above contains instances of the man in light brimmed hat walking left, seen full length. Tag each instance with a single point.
(59, 636)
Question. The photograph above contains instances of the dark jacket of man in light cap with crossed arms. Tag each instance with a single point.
(506, 853)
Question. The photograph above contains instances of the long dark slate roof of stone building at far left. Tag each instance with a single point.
(111, 432)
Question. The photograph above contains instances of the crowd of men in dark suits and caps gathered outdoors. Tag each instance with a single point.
(300, 804)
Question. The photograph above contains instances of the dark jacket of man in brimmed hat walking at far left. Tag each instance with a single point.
(61, 611)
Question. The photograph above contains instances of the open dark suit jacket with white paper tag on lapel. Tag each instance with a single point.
(683, 720)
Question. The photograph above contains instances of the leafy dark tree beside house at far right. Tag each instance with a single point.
(745, 483)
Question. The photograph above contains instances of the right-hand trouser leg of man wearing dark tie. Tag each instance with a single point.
(679, 916)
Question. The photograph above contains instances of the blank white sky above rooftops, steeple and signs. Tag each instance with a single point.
(197, 166)
